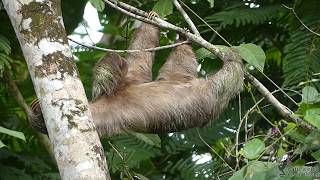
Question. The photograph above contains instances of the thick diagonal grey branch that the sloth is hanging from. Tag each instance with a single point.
(141, 15)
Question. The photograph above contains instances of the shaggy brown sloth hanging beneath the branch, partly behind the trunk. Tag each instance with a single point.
(126, 99)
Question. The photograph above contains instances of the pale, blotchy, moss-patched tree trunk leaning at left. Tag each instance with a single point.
(39, 27)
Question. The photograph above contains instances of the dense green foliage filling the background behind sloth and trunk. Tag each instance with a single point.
(248, 141)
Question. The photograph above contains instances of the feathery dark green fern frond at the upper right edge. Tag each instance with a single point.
(302, 52)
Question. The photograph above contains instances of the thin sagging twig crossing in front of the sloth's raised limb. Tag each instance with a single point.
(130, 50)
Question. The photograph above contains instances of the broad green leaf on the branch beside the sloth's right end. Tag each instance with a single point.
(252, 54)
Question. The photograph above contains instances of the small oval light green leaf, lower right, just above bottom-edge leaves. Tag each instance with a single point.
(253, 148)
